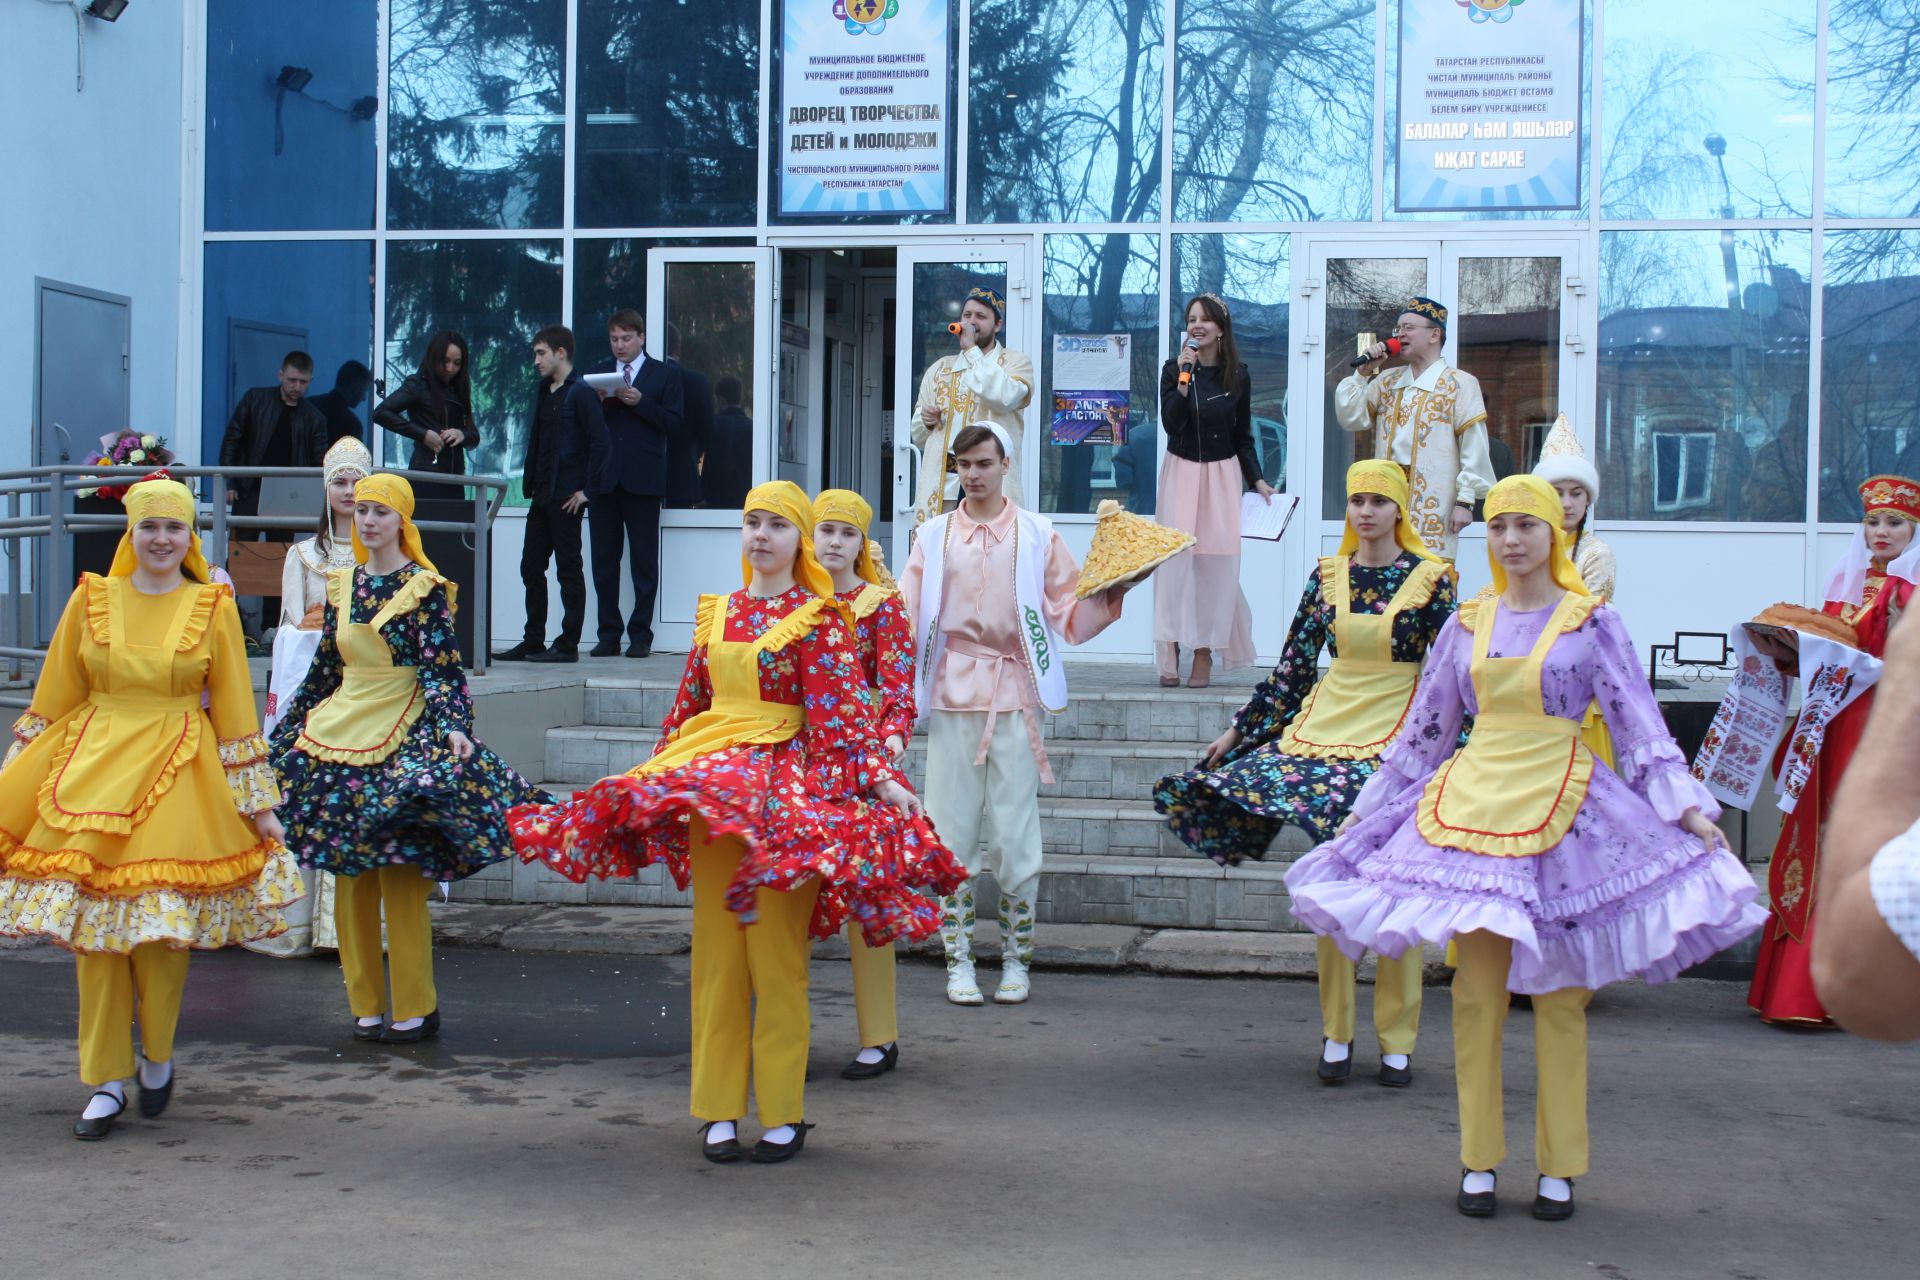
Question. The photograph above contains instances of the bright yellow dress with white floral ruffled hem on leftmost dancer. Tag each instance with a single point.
(124, 795)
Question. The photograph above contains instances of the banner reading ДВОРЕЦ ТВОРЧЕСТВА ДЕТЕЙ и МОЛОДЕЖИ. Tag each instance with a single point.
(865, 122)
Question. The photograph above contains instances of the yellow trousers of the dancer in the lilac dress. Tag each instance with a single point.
(1560, 1060)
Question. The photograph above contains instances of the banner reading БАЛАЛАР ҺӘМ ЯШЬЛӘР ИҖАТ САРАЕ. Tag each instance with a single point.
(1489, 107)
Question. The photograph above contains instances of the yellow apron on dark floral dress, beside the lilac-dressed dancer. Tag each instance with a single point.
(1356, 711)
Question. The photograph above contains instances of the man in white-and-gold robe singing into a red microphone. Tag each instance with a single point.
(1428, 417)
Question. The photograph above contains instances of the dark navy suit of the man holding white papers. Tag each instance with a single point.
(625, 515)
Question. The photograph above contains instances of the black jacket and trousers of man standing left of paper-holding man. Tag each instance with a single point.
(560, 463)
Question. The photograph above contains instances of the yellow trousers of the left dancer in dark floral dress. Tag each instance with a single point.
(410, 941)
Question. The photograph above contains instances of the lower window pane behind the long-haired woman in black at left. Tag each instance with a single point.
(496, 295)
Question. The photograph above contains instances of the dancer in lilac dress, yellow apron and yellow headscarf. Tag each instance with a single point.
(1552, 872)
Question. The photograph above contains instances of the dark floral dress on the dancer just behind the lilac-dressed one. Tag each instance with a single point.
(1236, 811)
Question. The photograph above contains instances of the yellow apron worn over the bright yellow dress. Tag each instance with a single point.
(124, 751)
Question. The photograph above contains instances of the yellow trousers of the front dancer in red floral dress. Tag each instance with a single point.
(750, 991)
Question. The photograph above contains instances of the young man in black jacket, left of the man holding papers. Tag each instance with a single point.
(565, 460)
